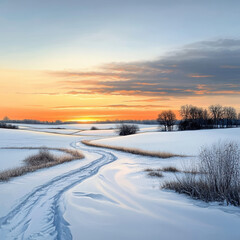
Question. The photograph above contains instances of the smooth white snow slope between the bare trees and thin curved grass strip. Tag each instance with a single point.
(178, 142)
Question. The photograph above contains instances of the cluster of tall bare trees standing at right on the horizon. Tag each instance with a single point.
(194, 117)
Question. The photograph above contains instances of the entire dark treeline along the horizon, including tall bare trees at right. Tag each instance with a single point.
(192, 118)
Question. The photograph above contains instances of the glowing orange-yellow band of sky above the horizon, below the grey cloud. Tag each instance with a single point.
(41, 96)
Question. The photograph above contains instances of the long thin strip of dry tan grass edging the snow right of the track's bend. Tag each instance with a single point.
(134, 150)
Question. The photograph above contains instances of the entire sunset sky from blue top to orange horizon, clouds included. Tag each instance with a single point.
(110, 59)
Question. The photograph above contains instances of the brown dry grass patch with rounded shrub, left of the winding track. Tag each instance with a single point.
(42, 159)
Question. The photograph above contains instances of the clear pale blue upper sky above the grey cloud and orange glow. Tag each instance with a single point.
(60, 35)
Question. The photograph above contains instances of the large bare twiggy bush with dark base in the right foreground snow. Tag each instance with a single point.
(219, 179)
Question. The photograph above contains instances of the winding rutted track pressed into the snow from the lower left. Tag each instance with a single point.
(39, 214)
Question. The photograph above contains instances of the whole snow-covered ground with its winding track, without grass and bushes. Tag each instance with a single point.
(107, 195)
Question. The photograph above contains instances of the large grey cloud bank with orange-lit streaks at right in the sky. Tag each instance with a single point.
(202, 68)
